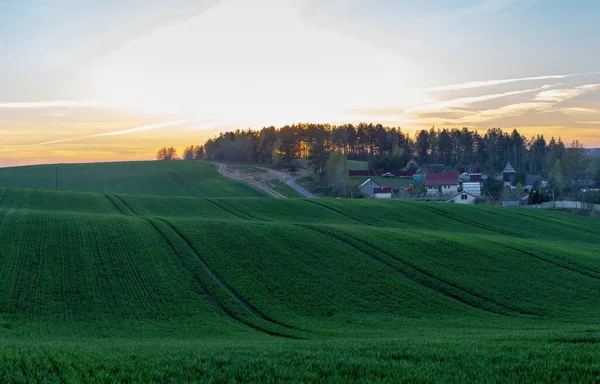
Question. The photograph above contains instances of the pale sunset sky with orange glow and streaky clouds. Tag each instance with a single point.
(105, 80)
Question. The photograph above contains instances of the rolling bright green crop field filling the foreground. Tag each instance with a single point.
(116, 287)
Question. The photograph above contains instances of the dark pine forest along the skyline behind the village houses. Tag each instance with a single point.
(391, 148)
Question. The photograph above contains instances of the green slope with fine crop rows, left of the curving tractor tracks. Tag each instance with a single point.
(85, 268)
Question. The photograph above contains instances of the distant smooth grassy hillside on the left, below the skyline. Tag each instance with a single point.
(162, 178)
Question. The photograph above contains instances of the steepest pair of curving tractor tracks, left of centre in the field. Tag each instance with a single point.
(221, 283)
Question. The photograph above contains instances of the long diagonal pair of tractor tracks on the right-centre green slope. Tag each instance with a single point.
(503, 309)
